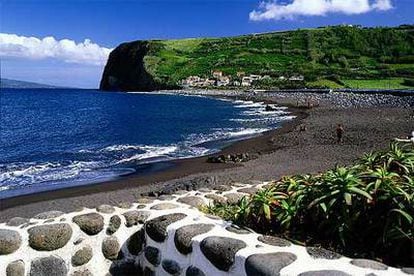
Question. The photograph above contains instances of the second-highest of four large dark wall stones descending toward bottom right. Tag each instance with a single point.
(184, 235)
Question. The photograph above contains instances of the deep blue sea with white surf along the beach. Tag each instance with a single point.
(55, 138)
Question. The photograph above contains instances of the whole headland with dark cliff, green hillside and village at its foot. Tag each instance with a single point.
(343, 56)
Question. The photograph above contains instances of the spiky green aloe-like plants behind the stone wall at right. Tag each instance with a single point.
(366, 209)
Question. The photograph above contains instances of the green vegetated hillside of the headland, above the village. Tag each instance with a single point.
(332, 53)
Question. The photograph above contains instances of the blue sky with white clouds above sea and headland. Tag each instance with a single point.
(67, 43)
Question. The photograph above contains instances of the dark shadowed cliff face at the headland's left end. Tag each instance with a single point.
(125, 70)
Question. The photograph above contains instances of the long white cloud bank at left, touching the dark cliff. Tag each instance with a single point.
(66, 50)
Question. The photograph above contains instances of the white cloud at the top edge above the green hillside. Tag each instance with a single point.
(277, 10)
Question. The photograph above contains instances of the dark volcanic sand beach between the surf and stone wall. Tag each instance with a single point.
(286, 149)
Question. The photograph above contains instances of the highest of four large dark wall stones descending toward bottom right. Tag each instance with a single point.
(157, 227)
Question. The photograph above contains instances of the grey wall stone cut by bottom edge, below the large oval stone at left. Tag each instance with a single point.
(48, 266)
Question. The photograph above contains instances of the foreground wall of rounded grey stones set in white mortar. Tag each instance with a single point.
(163, 236)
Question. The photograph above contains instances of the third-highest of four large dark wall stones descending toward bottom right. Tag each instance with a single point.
(221, 251)
